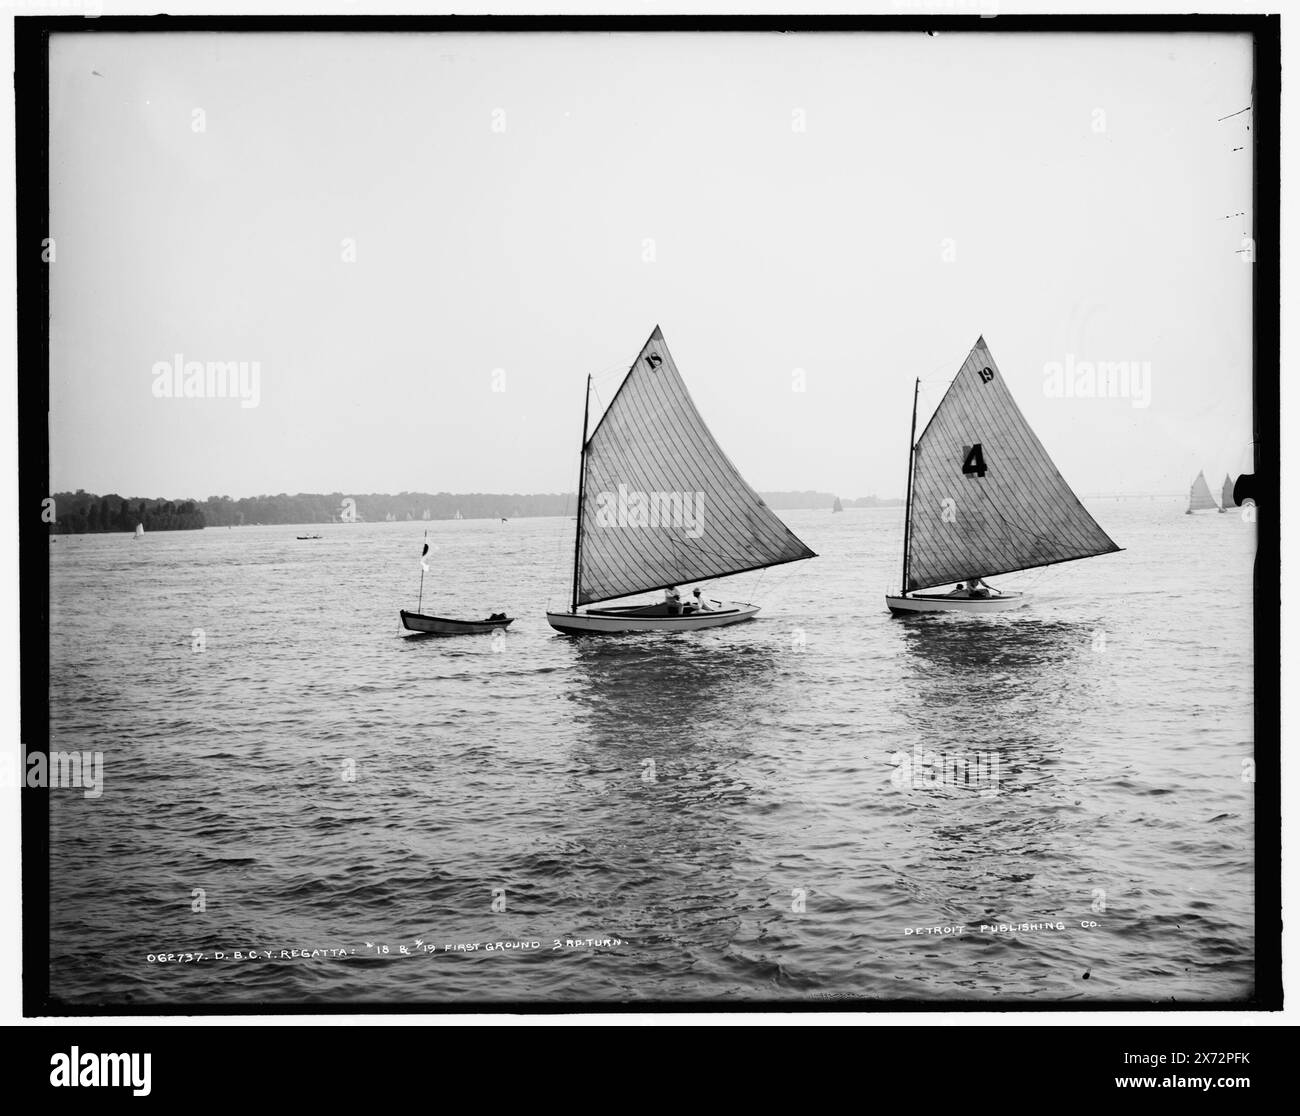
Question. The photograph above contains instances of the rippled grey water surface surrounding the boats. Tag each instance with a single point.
(701, 816)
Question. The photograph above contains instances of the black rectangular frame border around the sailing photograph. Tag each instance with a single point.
(32, 142)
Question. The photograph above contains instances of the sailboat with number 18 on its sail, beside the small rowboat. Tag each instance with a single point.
(660, 507)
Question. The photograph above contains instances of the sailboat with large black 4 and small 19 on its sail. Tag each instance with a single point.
(983, 499)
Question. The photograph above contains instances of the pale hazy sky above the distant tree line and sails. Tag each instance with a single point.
(523, 210)
